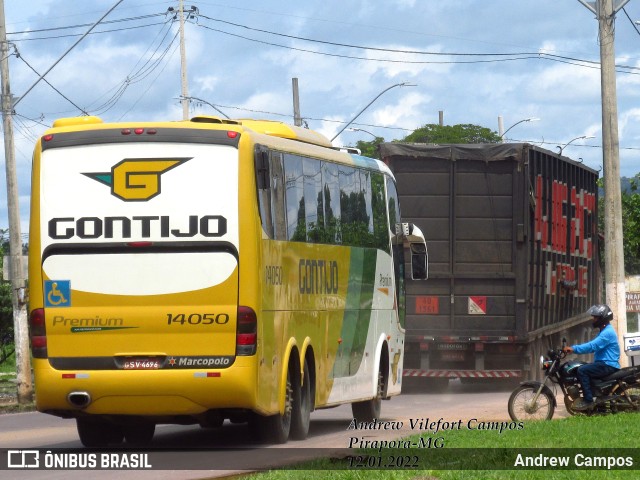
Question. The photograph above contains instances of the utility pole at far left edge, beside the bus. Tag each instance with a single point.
(18, 290)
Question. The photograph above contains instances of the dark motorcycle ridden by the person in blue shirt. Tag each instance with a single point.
(532, 400)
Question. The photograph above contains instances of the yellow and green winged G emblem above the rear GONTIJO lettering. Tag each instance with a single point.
(136, 179)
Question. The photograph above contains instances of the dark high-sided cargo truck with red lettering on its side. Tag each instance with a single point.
(513, 242)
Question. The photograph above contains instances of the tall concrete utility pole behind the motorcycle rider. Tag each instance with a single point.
(605, 11)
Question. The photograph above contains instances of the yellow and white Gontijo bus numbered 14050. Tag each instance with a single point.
(208, 270)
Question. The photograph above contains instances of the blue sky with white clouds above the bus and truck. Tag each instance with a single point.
(472, 60)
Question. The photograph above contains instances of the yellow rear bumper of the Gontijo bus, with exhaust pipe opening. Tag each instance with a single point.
(144, 392)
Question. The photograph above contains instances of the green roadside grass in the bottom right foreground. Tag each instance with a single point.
(607, 435)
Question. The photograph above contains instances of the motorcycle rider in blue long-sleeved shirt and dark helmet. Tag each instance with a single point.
(606, 352)
